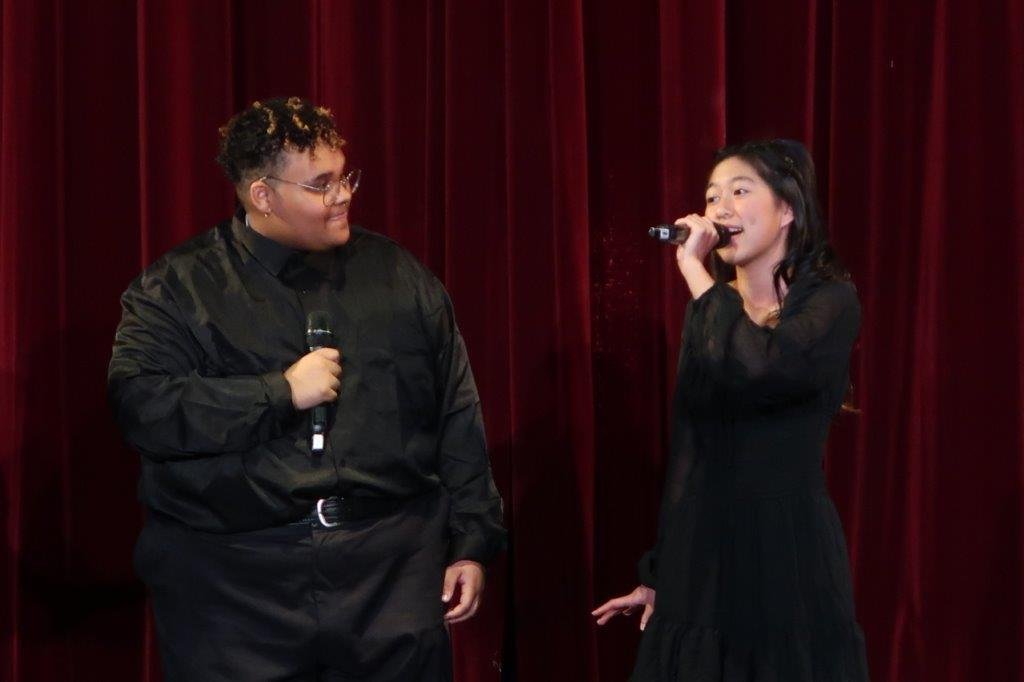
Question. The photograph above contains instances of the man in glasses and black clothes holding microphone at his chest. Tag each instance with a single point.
(272, 552)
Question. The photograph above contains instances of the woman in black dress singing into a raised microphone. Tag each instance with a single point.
(751, 570)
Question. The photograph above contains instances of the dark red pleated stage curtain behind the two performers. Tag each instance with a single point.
(521, 148)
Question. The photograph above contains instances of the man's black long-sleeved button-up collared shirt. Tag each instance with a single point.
(196, 382)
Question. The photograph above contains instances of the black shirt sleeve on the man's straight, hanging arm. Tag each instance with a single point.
(476, 517)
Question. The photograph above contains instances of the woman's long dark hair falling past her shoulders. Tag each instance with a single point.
(787, 167)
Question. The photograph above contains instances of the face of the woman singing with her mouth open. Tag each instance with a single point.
(738, 197)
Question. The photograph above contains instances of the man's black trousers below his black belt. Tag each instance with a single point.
(361, 602)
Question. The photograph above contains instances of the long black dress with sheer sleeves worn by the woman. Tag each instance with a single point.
(751, 569)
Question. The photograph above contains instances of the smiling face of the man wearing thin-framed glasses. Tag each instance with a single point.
(303, 220)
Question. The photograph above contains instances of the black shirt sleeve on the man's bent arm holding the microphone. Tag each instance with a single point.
(164, 406)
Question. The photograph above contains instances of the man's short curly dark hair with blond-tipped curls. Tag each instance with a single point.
(252, 142)
